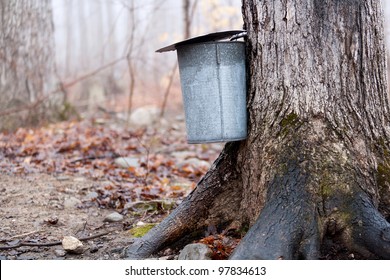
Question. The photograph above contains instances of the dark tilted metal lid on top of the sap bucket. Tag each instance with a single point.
(216, 36)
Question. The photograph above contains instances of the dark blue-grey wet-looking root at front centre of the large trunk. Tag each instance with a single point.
(287, 227)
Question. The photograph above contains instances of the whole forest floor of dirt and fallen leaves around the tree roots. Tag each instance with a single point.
(67, 179)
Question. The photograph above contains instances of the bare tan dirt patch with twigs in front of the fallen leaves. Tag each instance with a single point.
(42, 209)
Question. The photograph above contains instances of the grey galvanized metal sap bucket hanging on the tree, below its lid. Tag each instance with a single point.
(213, 84)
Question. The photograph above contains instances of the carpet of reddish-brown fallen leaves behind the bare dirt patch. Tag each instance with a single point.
(89, 149)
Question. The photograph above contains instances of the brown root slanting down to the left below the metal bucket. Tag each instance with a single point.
(213, 200)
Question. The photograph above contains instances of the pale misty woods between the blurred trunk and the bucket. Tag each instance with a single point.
(91, 35)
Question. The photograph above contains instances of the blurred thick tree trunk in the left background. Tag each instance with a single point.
(26, 61)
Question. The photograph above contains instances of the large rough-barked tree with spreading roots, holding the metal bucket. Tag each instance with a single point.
(316, 164)
